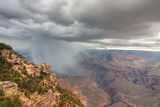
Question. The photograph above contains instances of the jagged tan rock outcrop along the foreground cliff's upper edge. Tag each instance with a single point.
(20, 63)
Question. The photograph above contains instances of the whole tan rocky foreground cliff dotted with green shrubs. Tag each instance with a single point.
(34, 85)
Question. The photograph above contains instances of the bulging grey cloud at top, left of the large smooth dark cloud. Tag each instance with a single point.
(53, 11)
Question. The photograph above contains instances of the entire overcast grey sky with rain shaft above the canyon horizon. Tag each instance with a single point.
(68, 26)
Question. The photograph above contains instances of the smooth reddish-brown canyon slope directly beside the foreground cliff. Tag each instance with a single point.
(94, 95)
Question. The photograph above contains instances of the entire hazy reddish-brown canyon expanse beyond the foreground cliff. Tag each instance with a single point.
(116, 79)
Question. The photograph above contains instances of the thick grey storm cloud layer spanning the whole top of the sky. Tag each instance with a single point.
(86, 20)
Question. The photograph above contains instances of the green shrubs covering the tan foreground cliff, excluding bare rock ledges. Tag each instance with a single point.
(29, 84)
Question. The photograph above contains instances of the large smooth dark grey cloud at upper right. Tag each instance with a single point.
(120, 19)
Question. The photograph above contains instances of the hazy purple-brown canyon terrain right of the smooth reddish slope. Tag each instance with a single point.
(131, 80)
